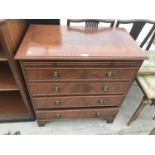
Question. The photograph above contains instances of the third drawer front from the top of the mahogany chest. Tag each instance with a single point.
(77, 101)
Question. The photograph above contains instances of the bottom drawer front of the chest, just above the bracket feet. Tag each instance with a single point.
(77, 113)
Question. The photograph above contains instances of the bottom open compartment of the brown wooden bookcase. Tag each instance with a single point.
(12, 106)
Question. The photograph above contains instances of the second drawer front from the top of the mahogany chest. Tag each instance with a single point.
(38, 89)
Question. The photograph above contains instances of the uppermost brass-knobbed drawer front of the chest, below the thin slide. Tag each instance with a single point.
(71, 74)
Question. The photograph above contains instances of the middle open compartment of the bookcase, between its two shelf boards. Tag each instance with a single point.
(7, 82)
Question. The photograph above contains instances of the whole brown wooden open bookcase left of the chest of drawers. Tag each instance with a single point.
(15, 103)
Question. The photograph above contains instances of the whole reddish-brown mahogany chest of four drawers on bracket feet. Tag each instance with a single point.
(78, 73)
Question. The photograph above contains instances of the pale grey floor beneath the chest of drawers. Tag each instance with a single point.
(143, 125)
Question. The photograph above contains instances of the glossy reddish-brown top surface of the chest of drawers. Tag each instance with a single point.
(47, 42)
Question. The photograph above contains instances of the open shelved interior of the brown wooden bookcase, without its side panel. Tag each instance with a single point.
(12, 106)
